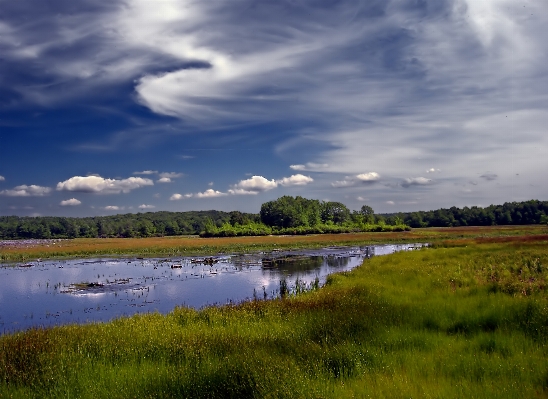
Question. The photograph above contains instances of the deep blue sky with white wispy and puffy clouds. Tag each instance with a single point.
(177, 105)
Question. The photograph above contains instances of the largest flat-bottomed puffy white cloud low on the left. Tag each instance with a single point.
(97, 184)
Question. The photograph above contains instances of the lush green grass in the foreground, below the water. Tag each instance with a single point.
(454, 321)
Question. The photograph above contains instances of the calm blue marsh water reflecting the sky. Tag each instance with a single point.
(50, 293)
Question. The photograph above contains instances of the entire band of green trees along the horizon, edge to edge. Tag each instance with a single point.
(286, 215)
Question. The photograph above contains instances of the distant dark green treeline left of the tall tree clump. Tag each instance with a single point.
(148, 224)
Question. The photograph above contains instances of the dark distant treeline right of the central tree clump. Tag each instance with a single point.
(510, 213)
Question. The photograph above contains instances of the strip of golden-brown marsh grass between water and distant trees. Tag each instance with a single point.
(192, 245)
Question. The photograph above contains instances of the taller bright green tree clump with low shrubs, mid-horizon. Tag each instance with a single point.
(298, 215)
